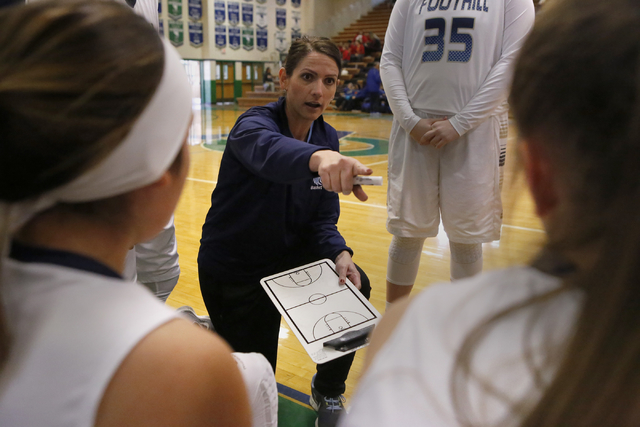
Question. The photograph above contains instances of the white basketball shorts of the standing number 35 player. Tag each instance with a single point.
(460, 181)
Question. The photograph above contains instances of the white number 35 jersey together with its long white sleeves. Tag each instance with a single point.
(452, 58)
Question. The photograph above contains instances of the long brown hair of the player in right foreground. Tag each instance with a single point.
(576, 95)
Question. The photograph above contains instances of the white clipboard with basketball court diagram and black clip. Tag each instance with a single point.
(320, 310)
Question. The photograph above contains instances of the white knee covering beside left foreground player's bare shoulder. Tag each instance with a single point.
(262, 390)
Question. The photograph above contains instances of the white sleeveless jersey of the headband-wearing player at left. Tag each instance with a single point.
(71, 331)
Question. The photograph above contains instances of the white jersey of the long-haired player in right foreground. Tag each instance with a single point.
(409, 382)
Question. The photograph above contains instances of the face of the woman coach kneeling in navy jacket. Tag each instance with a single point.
(311, 87)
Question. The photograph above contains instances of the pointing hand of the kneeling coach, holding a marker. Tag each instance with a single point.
(337, 172)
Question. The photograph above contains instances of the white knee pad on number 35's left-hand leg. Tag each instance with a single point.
(404, 260)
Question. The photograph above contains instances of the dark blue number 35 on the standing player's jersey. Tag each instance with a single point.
(456, 37)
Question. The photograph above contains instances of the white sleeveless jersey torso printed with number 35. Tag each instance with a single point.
(453, 42)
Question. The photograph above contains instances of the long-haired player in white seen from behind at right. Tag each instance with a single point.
(555, 345)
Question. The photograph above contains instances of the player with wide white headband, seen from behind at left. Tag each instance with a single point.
(92, 161)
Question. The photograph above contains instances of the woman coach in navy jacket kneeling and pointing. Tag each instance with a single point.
(270, 212)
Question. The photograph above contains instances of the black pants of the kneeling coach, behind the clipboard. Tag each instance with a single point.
(245, 317)
